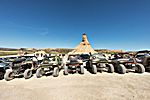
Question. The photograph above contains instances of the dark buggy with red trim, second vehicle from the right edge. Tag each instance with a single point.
(123, 65)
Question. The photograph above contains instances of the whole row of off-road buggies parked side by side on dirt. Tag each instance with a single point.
(94, 63)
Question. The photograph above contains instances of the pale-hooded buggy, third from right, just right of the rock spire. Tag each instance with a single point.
(98, 62)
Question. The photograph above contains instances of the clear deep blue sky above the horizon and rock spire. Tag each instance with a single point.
(109, 24)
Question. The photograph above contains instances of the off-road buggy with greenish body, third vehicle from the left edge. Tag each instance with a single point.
(49, 64)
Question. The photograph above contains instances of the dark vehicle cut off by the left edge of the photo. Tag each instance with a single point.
(3, 67)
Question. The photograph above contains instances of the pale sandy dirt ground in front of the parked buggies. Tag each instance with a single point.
(102, 86)
